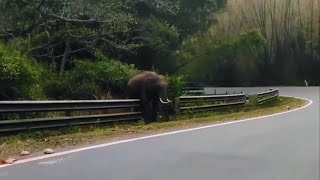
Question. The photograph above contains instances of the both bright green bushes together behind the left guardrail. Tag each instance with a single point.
(24, 78)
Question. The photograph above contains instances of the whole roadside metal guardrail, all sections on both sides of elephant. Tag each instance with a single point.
(183, 104)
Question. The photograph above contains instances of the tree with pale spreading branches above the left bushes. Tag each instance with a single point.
(59, 32)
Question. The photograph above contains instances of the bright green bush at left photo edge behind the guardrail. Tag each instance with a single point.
(20, 77)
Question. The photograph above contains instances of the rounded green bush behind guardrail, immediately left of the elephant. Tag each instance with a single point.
(92, 80)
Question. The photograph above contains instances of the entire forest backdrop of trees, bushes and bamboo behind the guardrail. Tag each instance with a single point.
(68, 49)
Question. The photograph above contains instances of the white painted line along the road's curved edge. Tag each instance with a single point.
(153, 136)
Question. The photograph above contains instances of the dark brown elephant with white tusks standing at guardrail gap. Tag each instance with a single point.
(151, 88)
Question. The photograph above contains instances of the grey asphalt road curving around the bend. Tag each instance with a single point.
(283, 147)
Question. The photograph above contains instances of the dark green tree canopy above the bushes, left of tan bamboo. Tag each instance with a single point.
(133, 31)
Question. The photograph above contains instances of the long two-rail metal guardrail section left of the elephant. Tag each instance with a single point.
(9, 107)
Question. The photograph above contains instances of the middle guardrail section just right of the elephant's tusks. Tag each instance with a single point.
(212, 102)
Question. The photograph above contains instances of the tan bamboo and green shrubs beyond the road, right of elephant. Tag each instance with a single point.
(286, 34)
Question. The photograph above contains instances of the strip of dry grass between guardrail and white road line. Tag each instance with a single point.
(37, 141)
